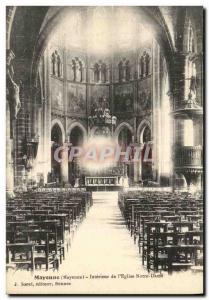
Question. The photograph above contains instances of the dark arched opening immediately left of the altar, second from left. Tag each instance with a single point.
(76, 138)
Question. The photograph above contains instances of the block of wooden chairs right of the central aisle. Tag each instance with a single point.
(167, 227)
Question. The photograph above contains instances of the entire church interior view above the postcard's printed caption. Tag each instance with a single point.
(102, 78)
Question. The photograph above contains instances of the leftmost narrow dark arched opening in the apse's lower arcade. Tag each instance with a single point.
(56, 141)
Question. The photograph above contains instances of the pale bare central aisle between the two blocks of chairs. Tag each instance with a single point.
(102, 242)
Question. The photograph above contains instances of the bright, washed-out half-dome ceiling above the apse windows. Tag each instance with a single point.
(95, 29)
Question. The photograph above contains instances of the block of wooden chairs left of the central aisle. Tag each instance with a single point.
(40, 227)
